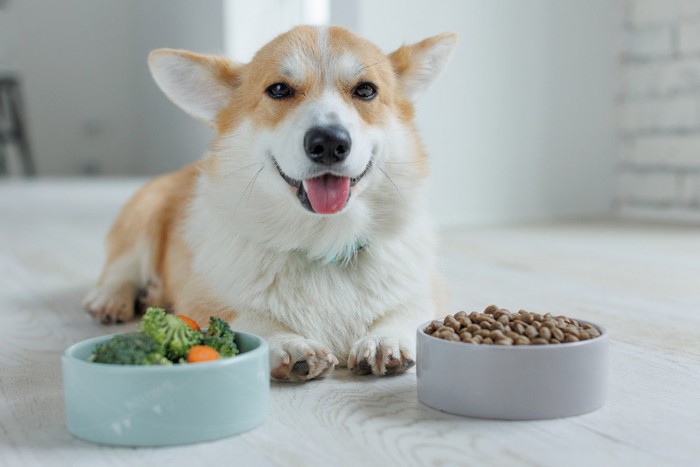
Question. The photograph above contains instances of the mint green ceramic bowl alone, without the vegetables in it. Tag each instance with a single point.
(165, 405)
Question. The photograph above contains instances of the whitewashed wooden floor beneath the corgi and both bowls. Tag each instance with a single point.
(640, 281)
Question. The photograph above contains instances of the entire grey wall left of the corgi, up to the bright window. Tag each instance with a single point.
(91, 103)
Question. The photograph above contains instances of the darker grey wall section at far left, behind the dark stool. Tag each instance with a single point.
(75, 61)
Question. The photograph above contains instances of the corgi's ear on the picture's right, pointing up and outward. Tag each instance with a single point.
(418, 65)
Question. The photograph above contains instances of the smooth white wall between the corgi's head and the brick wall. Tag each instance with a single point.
(521, 124)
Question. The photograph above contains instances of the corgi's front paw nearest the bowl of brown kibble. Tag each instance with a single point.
(380, 355)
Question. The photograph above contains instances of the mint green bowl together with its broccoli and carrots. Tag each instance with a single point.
(169, 383)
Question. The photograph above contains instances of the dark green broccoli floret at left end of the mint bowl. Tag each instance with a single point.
(130, 349)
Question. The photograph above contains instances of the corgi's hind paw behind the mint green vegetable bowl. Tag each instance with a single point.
(111, 304)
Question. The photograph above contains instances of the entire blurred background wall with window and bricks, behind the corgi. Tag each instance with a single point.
(550, 109)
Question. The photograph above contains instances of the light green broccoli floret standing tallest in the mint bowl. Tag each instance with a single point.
(173, 335)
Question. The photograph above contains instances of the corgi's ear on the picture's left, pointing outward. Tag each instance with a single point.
(199, 84)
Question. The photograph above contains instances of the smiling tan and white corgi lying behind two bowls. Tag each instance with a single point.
(307, 221)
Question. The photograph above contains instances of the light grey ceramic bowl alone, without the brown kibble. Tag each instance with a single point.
(524, 382)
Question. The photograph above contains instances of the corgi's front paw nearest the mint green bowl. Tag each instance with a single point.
(299, 359)
